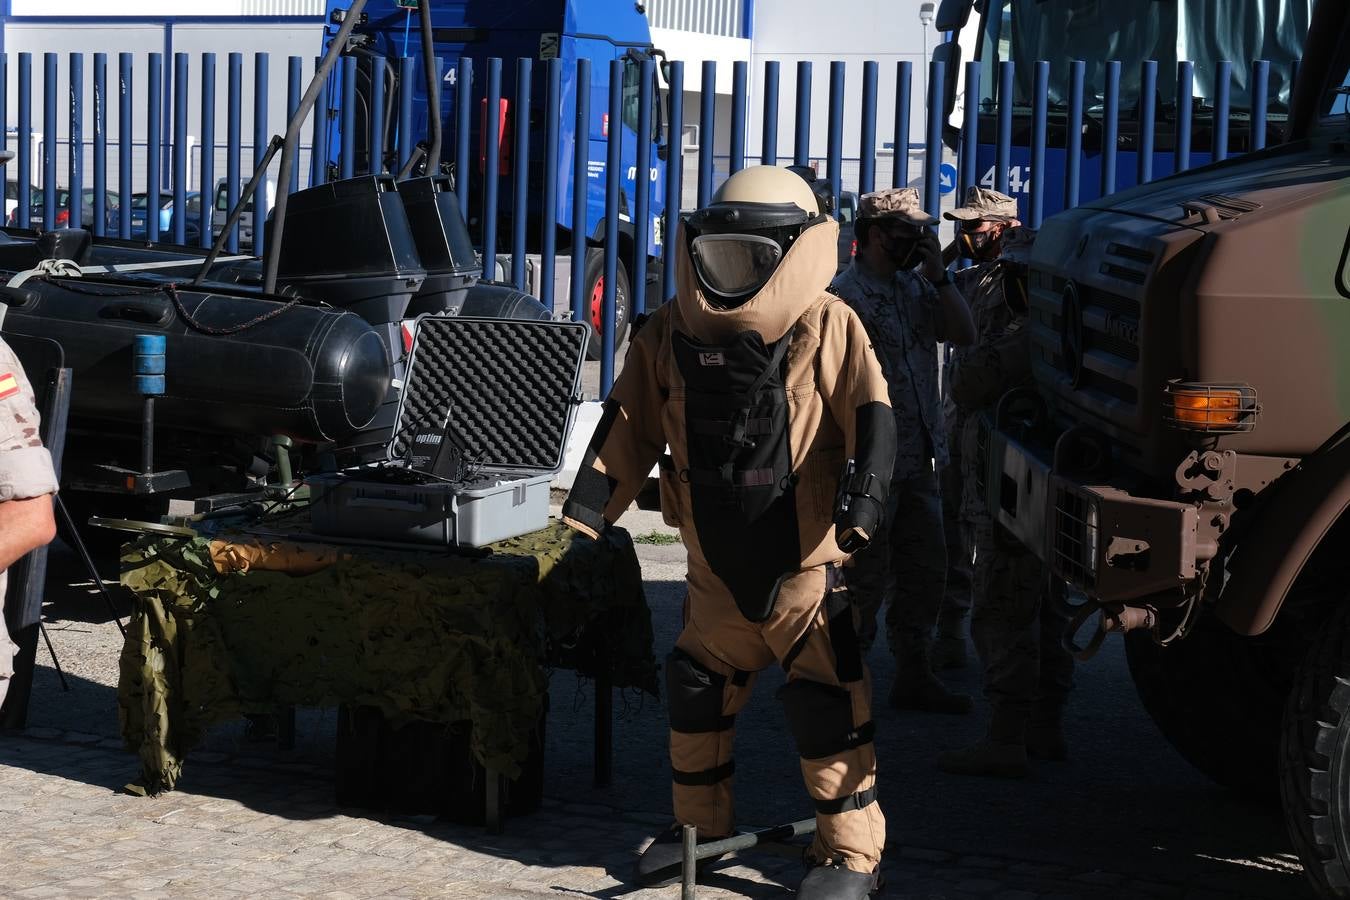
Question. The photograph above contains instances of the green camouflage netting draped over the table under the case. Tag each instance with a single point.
(421, 636)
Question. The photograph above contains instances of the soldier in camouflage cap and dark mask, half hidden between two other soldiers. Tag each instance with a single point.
(982, 223)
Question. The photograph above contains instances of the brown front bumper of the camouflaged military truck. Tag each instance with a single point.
(1112, 546)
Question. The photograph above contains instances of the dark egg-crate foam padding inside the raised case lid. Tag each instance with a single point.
(511, 387)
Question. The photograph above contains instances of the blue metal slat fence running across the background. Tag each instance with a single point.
(161, 153)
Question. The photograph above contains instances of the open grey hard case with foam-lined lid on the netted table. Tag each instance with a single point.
(483, 423)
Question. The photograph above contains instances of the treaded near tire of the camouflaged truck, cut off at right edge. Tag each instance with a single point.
(1316, 760)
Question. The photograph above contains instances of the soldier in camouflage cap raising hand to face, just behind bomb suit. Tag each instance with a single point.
(901, 289)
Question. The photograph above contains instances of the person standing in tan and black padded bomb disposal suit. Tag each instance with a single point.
(781, 437)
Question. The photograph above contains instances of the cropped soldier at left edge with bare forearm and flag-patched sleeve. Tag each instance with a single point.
(28, 482)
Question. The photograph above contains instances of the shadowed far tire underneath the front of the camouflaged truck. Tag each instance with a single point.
(1218, 698)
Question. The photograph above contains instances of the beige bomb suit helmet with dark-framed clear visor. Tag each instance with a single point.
(740, 238)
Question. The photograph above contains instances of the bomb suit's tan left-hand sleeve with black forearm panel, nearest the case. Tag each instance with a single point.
(628, 441)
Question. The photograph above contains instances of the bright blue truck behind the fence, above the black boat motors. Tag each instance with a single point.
(542, 30)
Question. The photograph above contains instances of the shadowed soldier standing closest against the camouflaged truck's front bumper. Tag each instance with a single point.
(1028, 674)
